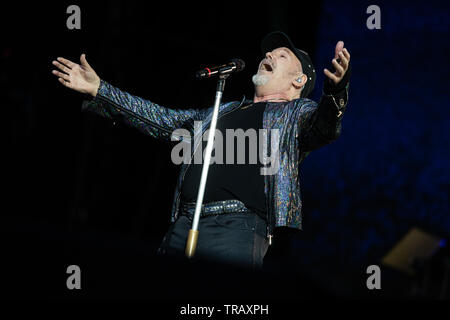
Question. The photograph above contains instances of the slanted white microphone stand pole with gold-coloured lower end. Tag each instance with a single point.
(191, 244)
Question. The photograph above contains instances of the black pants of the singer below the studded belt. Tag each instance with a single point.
(233, 238)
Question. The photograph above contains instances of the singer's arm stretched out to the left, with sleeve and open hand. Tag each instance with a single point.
(111, 102)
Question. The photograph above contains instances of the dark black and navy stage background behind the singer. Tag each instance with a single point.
(80, 190)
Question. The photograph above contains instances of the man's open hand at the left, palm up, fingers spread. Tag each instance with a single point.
(81, 78)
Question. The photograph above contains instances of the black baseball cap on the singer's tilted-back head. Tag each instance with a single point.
(278, 39)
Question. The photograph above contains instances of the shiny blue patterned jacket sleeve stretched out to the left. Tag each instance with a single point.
(150, 118)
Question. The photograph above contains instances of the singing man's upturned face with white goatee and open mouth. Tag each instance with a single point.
(277, 71)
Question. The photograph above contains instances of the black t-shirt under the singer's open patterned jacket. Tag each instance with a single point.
(230, 180)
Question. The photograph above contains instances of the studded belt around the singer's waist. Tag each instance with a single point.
(214, 208)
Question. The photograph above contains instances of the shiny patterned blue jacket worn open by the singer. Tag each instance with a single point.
(303, 125)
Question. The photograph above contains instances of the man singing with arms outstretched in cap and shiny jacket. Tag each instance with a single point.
(241, 206)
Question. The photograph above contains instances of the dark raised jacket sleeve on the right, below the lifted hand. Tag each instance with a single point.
(321, 123)
